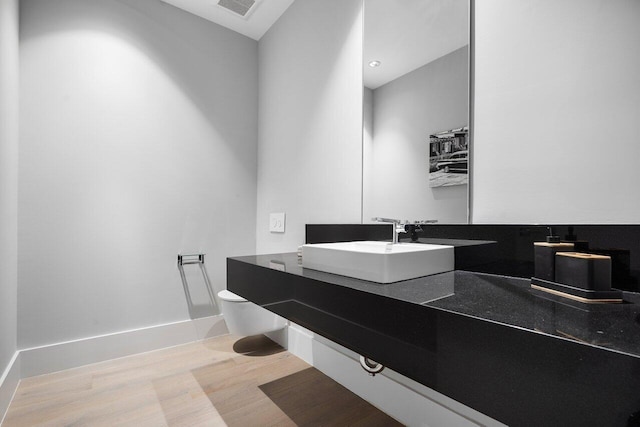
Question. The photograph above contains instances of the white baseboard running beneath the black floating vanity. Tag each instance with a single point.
(408, 401)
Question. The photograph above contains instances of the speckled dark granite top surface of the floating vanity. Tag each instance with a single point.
(505, 300)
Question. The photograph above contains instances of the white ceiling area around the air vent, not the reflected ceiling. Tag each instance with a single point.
(259, 19)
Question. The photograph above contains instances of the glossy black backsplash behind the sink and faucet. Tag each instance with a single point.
(513, 254)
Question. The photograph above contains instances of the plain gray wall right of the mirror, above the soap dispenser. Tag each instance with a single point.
(557, 102)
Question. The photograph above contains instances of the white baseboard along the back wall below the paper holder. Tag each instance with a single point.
(71, 354)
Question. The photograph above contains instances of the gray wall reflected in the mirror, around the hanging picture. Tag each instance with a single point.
(404, 112)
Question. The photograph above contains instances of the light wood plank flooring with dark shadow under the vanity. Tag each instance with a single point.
(221, 381)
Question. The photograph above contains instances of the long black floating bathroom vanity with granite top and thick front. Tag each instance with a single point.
(491, 342)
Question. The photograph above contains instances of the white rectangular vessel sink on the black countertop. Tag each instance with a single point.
(380, 262)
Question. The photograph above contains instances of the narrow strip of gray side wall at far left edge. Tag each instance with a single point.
(8, 183)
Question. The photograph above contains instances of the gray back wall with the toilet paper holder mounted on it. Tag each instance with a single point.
(138, 142)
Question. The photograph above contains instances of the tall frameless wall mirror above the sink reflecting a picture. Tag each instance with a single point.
(416, 101)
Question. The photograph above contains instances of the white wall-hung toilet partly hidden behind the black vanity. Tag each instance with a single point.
(245, 318)
